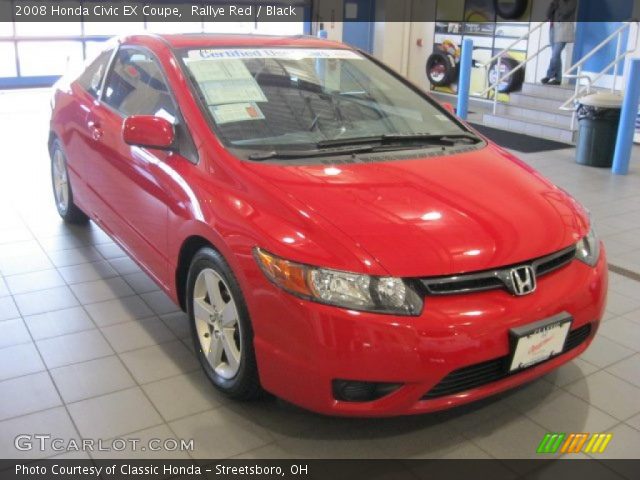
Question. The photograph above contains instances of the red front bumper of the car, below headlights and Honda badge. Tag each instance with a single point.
(302, 346)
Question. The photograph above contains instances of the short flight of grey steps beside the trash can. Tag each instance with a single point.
(535, 111)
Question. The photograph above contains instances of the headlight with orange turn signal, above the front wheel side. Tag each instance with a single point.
(341, 289)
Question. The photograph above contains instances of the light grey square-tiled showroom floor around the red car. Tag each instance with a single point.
(90, 348)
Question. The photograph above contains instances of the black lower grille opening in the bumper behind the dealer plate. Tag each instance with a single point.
(483, 373)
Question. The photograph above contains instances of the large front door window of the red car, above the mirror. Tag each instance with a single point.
(135, 86)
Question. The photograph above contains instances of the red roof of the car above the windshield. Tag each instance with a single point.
(212, 40)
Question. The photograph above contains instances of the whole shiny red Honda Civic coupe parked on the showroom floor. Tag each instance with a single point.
(336, 236)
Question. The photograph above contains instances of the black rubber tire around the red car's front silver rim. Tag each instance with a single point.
(245, 385)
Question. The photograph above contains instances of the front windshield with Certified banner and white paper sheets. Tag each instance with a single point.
(295, 98)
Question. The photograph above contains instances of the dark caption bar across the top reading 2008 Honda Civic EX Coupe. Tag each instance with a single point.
(322, 11)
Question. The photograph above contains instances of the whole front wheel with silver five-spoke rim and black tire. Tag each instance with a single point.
(221, 330)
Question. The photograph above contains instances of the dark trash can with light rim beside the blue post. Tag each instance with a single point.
(598, 119)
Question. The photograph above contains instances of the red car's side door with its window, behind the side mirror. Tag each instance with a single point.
(129, 182)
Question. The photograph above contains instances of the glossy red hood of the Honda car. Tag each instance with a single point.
(437, 215)
